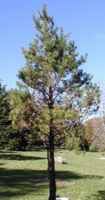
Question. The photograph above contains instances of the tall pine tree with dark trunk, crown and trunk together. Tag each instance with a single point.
(54, 80)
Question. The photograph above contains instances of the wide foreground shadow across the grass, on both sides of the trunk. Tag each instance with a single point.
(20, 182)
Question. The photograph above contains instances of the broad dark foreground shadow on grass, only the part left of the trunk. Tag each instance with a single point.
(21, 182)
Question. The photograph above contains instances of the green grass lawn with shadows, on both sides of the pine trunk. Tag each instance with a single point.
(23, 176)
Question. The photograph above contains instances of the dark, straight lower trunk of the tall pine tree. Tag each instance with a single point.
(50, 154)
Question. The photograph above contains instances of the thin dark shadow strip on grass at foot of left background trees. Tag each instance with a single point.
(15, 156)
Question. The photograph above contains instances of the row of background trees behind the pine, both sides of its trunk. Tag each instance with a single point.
(24, 126)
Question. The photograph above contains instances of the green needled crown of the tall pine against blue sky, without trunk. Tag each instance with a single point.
(52, 70)
